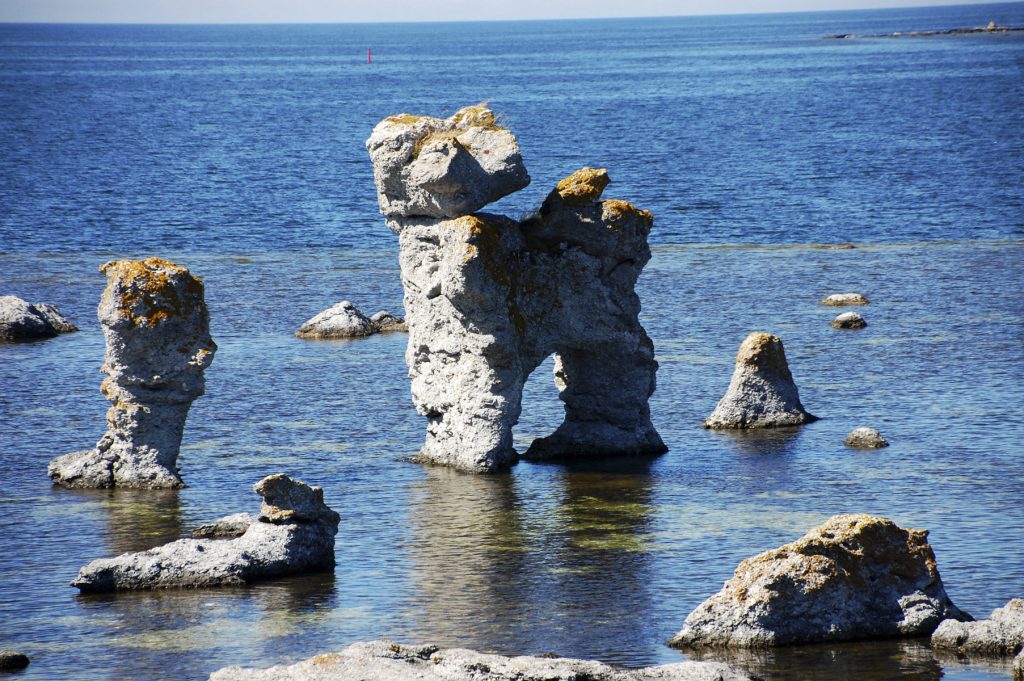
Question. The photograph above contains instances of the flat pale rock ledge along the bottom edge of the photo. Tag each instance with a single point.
(385, 661)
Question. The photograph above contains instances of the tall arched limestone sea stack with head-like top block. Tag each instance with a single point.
(488, 299)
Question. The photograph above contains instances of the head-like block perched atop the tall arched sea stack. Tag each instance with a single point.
(432, 167)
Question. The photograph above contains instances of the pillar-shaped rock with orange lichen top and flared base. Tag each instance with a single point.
(158, 346)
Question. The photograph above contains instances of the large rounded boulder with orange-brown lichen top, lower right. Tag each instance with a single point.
(855, 577)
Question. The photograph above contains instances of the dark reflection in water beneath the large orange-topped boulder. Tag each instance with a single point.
(868, 661)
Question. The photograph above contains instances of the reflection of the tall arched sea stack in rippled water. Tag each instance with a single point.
(498, 561)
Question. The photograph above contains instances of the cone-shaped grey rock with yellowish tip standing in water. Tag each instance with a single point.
(762, 394)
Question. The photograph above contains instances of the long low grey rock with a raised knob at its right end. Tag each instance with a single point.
(294, 535)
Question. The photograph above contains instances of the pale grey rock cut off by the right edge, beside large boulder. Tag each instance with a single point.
(1002, 635)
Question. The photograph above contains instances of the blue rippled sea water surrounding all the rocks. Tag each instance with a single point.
(238, 151)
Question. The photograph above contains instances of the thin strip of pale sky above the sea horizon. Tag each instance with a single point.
(340, 12)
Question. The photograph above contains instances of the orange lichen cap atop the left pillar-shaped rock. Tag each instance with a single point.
(148, 290)
